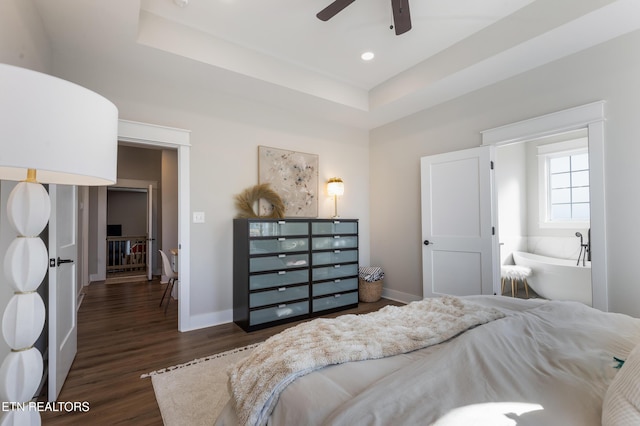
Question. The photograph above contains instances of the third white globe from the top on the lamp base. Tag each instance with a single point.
(22, 321)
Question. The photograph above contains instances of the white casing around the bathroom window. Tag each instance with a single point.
(546, 152)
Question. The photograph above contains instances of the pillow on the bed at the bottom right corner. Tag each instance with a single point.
(621, 405)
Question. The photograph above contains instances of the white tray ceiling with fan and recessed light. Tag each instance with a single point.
(277, 51)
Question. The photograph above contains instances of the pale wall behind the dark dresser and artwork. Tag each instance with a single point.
(225, 134)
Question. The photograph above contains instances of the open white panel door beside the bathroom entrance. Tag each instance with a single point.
(457, 229)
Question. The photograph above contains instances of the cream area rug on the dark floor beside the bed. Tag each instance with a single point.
(194, 393)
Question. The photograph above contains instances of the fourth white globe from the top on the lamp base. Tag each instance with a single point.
(20, 375)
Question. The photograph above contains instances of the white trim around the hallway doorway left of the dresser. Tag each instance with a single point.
(143, 134)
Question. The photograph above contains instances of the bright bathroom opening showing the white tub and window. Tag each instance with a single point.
(543, 200)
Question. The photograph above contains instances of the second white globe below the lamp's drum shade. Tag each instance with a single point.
(25, 263)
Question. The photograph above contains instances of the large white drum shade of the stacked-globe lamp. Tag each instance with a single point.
(67, 133)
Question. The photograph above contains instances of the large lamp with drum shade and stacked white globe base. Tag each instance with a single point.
(51, 131)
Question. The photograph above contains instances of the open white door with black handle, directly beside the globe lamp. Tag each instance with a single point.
(63, 339)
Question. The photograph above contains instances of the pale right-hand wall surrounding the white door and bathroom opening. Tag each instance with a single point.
(608, 72)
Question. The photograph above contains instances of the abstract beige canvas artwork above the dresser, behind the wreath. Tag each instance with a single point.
(294, 176)
